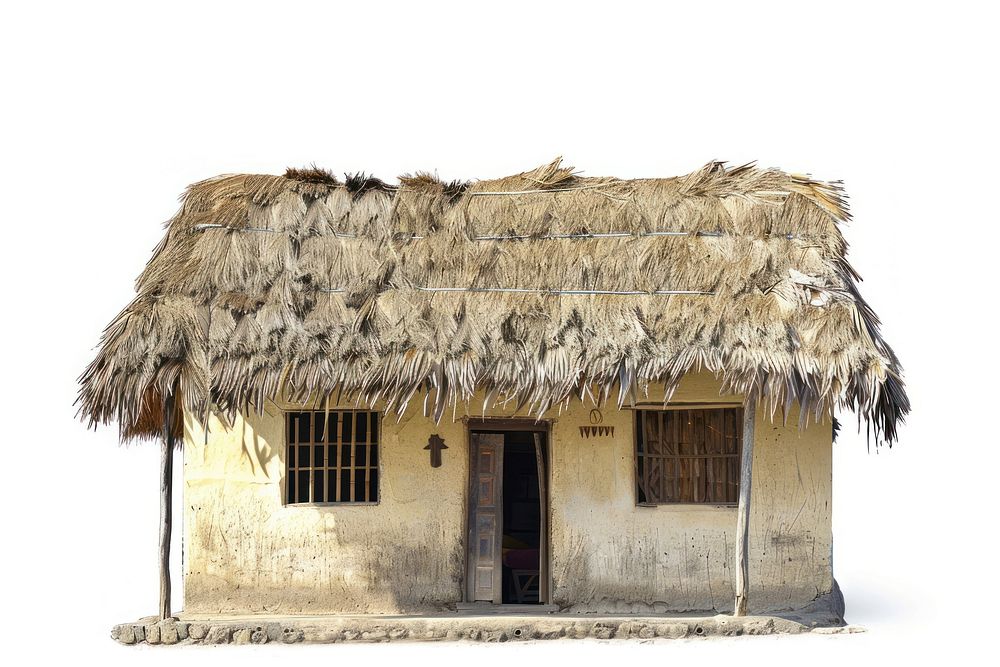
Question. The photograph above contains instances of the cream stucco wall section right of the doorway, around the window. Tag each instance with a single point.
(610, 555)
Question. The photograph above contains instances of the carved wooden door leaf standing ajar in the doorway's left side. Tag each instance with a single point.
(485, 572)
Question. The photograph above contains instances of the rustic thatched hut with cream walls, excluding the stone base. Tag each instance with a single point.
(587, 394)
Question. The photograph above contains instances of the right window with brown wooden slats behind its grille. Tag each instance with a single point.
(688, 455)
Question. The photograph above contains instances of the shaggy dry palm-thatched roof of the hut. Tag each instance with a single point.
(537, 288)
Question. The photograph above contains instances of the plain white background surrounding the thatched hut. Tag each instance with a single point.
(109, 111)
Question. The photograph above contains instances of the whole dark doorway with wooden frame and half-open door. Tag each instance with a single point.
(508, 513)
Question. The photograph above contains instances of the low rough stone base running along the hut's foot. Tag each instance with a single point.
(493, 628)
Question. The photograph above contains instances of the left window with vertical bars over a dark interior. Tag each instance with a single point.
(332, 457)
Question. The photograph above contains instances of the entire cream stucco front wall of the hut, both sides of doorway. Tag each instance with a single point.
(245, 552)
